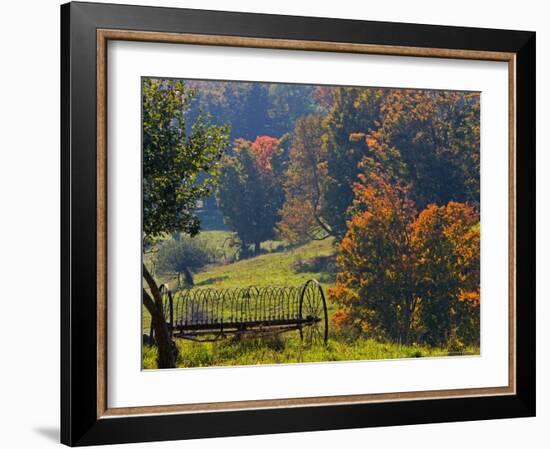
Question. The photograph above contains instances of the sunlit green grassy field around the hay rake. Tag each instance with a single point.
(277, 266)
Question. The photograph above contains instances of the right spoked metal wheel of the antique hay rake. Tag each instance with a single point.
(313, 309)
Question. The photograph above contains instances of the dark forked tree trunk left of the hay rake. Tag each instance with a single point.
(153, 304)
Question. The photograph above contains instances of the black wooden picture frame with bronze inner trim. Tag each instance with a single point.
(85, 416)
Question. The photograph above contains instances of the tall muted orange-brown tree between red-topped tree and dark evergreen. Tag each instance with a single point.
(301, 218)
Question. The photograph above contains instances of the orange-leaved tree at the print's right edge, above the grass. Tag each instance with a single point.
(446, 240)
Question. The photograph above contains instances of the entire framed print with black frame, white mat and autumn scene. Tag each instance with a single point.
(278, 224)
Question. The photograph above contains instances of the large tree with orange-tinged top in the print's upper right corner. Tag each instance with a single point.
(429, 140)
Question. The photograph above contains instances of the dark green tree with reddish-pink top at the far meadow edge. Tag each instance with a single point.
(250, 191)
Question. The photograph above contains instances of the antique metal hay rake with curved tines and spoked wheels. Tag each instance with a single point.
(211, 314)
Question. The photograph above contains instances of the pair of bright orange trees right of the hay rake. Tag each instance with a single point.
(405, 276)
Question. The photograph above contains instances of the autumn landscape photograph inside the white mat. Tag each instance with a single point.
(296, 223)
